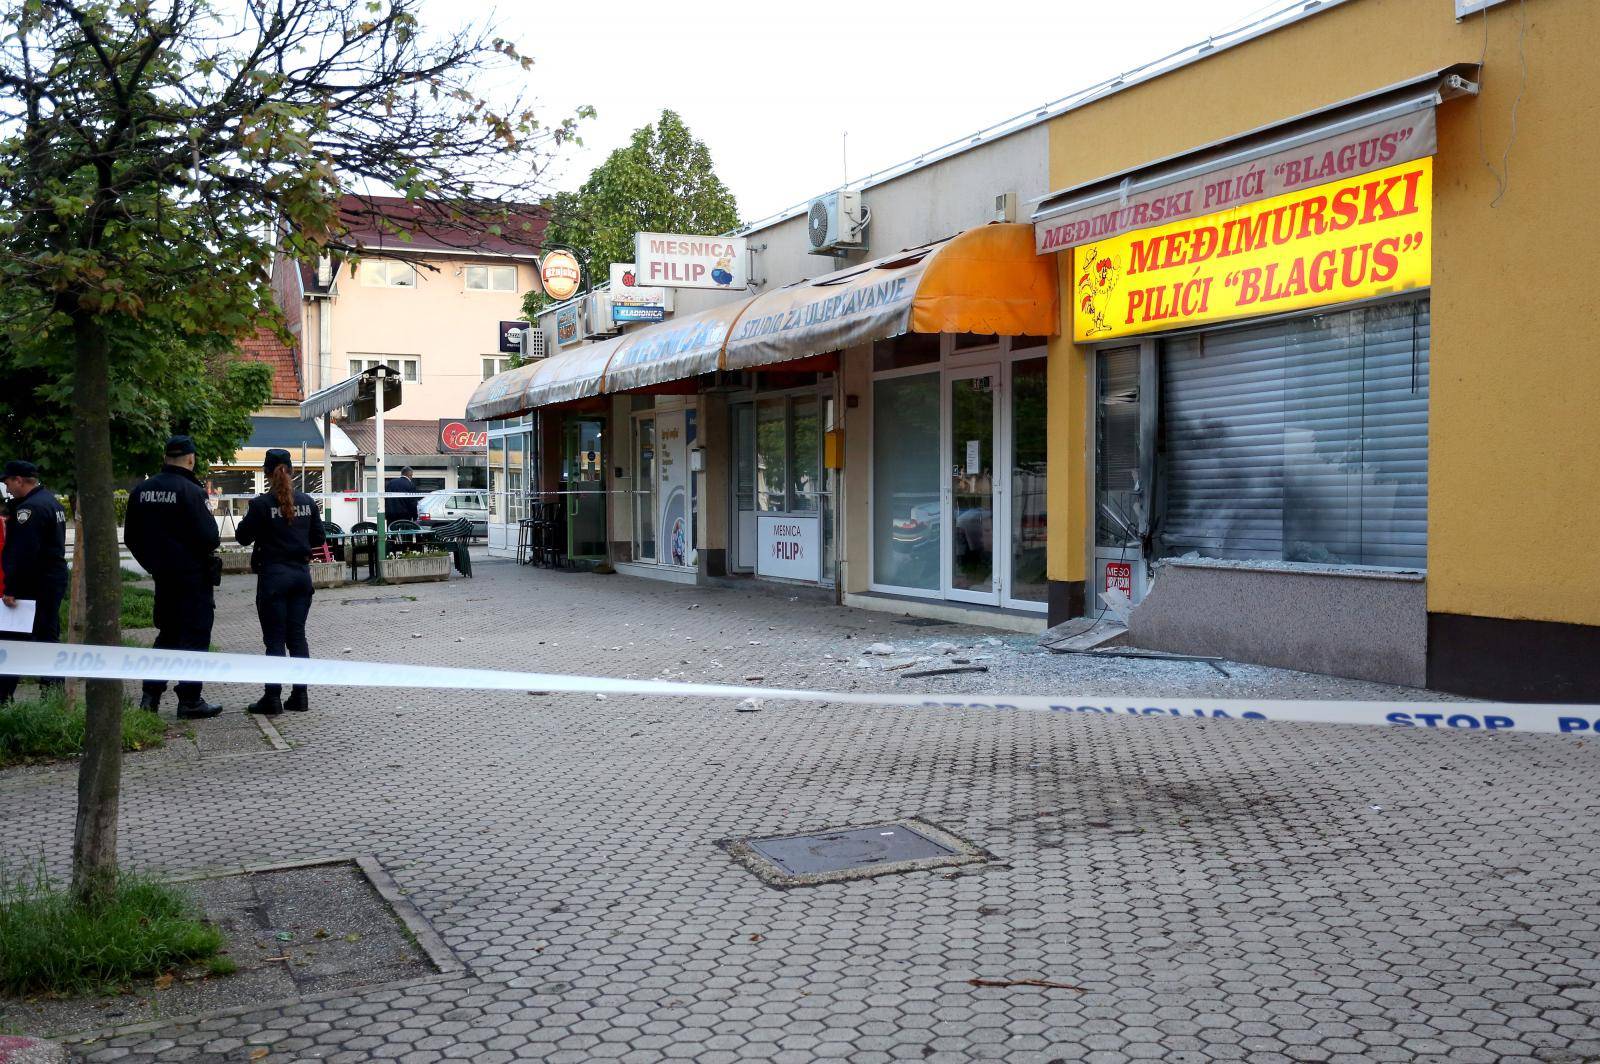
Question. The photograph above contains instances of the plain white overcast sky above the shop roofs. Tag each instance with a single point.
(772, 87)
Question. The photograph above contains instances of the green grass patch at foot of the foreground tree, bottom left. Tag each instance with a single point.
(49, 945)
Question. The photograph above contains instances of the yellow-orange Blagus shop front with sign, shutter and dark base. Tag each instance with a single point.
(1492, 298)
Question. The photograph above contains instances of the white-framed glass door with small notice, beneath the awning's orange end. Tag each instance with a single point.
(972, 492)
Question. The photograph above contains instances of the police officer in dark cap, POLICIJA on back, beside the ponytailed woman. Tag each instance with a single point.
(172, 534)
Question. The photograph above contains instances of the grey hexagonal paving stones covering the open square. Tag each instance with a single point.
(1222, 892)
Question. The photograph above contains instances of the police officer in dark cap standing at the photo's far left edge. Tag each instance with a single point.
(34, 559)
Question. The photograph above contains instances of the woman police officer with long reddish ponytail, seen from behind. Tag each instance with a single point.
(286, 527)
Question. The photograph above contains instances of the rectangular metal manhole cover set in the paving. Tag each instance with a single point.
(844, 854)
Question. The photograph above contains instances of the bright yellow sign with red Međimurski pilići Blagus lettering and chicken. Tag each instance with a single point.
(1329, 244)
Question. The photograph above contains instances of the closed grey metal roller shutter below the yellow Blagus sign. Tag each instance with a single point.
(1300, 441)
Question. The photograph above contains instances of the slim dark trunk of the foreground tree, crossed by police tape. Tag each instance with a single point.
(100, 774)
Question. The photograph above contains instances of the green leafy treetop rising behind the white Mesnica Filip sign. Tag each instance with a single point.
(663, 182)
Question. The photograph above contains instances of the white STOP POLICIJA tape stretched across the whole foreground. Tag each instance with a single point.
(119, 663)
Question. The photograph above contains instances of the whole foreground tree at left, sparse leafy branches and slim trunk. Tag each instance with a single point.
(154, 158)
